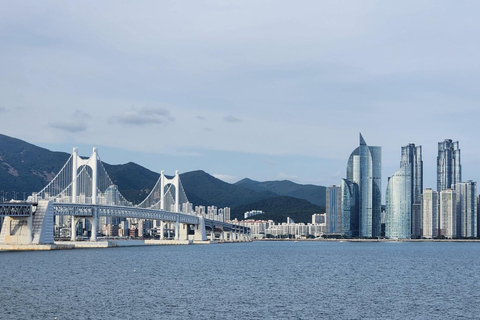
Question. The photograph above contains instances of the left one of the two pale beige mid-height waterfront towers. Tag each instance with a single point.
(429, 213)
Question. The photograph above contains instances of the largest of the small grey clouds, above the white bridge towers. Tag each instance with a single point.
(143, 116)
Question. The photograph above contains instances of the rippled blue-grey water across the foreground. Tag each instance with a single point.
(260, 280)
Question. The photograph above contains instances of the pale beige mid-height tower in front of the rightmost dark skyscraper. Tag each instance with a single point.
(447, 214)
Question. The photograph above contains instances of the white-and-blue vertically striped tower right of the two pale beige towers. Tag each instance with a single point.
(466, 208)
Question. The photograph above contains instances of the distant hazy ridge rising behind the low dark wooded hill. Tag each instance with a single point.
(311, 193)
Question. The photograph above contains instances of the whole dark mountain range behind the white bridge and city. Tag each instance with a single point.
(26, 168)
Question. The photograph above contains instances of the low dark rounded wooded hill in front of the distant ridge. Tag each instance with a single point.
(279, 208)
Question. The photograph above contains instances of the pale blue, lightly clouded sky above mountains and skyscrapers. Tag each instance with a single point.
(268, 90)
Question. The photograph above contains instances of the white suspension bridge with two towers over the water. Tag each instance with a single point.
(83, 191)
